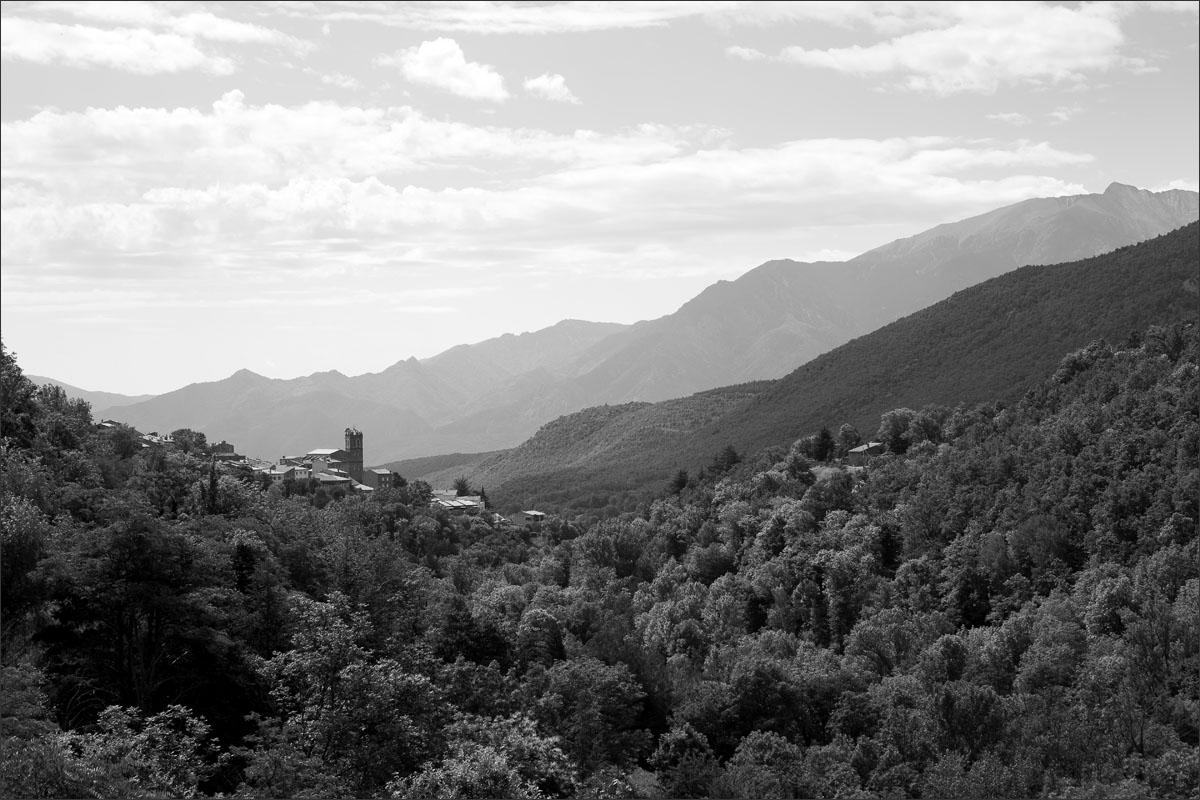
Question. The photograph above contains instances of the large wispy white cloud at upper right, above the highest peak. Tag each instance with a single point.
(980, 47)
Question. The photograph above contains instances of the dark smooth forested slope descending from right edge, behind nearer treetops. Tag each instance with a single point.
(989, 342)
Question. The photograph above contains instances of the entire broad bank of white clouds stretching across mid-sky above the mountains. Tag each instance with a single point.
(255, 188)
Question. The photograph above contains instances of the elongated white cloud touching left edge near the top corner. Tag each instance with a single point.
(131, 50)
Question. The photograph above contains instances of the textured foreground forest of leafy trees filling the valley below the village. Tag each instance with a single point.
(1003, 605)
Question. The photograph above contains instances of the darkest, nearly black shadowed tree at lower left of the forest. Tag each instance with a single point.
(137, 607)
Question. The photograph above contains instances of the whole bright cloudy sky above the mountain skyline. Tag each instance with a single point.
(193, 189)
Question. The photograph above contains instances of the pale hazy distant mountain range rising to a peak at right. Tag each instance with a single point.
(496, 394)
